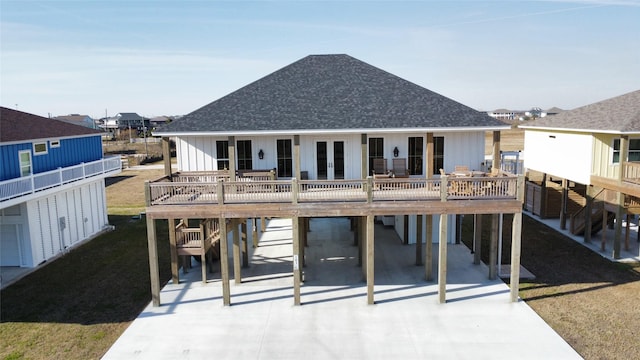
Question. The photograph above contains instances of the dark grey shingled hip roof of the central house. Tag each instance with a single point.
(330, 92)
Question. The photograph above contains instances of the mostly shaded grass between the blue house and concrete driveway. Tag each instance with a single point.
(77, 306)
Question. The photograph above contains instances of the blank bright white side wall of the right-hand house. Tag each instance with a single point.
(563, 154)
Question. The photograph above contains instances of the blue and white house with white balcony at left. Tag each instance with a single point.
(52, 189)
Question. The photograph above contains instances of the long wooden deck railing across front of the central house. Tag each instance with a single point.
(246, 191)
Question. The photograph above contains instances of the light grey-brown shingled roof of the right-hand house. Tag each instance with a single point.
(620, 114)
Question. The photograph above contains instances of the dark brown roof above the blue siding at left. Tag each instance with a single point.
(17, 126)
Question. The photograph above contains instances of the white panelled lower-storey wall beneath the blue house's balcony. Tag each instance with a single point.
(65, 219)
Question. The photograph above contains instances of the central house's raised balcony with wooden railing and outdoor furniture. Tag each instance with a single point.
(215, 189)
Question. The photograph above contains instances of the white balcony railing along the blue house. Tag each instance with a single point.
(20, 189)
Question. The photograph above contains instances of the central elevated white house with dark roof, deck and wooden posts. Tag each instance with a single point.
(331, 136)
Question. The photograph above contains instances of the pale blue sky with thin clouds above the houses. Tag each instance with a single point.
(172, 57)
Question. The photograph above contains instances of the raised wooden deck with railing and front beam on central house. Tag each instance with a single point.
(266, 197)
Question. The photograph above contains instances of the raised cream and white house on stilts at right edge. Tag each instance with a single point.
(592, 151)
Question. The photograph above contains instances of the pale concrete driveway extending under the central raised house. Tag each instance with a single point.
(407, 321)
